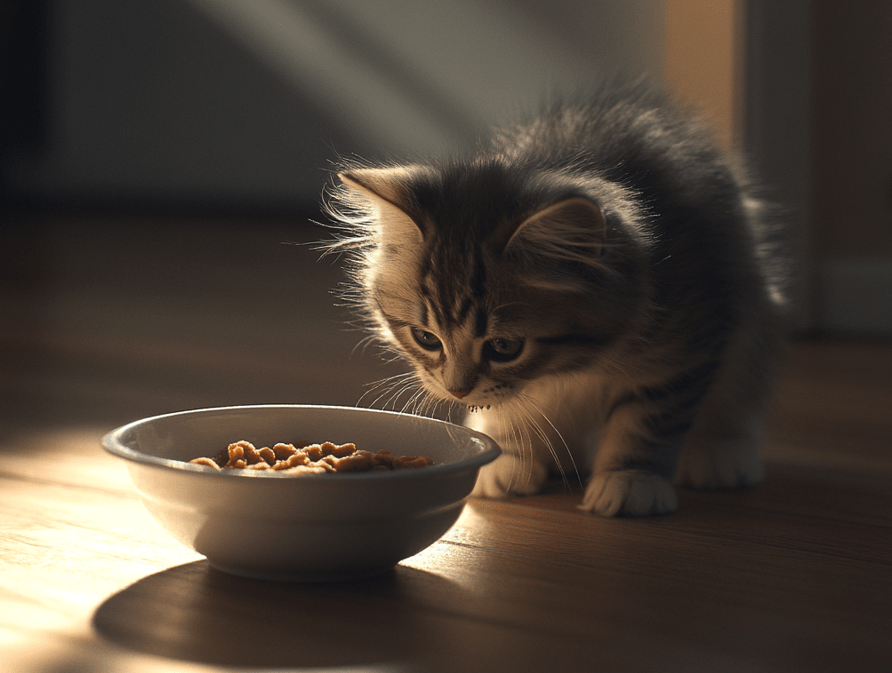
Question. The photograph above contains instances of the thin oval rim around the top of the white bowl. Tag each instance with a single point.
(111, 442)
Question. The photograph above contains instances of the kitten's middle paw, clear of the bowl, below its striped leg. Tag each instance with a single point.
(629, 493)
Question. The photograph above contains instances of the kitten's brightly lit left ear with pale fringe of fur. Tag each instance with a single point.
(385, 191)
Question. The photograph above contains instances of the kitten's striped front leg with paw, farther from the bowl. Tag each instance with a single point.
(636, 462)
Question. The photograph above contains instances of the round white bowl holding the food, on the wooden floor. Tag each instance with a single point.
(301, 527)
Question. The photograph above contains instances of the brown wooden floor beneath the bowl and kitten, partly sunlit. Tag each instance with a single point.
(108, 319)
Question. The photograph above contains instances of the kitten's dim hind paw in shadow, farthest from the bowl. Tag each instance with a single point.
(722, 466)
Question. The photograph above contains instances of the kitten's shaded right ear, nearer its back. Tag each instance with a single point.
(569, 230)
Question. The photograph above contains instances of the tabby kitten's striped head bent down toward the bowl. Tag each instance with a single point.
(487, 278)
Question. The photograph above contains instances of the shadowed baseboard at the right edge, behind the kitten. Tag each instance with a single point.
(854, 296)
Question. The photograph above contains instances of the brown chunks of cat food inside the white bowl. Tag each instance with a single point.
(309, 459)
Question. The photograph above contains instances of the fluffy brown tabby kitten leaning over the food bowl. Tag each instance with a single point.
(598, 277)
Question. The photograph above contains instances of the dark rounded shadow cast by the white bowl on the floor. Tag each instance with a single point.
(196, 613)
